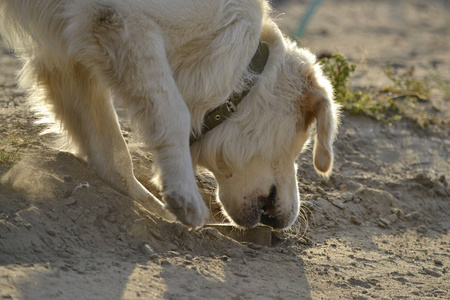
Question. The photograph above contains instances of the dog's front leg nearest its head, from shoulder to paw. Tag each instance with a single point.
(126, 51)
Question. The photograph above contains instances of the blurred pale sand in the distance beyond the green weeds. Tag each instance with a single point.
(374, 34)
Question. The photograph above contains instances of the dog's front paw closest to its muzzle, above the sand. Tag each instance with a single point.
(188, 208)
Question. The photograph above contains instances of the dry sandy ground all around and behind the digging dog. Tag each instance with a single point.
(377, 229)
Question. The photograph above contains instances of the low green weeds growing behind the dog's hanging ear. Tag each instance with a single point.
(393, 102)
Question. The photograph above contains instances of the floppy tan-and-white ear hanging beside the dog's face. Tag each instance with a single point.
(317, 104)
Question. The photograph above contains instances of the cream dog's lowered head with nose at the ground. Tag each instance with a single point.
(252, 155)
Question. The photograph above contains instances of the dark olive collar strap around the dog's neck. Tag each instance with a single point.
(219, 114)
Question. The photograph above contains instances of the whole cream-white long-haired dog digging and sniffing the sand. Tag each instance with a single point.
(172, 62)
